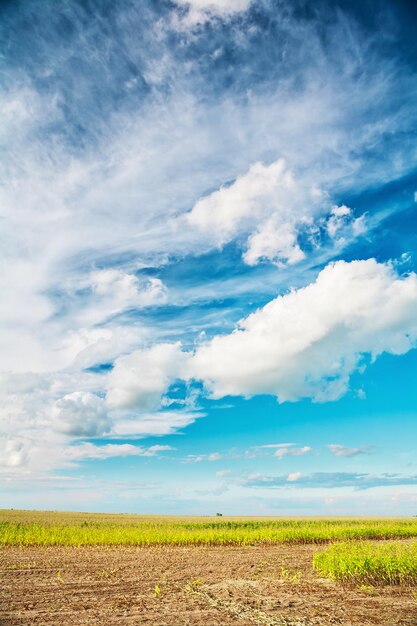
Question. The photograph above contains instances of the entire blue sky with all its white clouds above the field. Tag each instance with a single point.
(208, 231)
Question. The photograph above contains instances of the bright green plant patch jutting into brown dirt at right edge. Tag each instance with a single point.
(369, 564)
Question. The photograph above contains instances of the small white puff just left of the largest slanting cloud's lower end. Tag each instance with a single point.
(139, 379)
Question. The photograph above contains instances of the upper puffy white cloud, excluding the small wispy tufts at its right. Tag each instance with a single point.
(267, 206)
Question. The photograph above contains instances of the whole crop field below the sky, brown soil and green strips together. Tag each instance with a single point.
(79, 568)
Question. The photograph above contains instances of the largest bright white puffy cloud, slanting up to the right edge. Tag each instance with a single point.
(308, 342)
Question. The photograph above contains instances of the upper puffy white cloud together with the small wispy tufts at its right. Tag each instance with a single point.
(269, 208)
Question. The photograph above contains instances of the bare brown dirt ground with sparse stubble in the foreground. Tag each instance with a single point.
(177, 586)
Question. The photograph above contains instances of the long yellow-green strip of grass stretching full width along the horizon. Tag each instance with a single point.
(54, 528)
